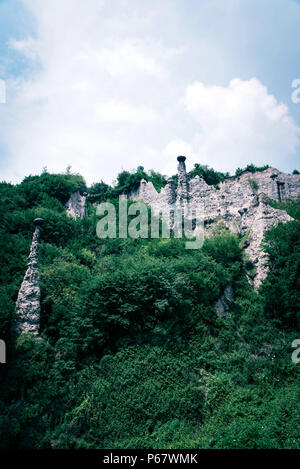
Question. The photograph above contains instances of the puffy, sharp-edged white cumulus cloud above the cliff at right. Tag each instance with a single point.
(237, 124)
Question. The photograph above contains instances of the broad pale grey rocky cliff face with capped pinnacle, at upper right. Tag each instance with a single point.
(241, 204)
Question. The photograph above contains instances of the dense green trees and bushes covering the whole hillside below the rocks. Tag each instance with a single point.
(131, 352)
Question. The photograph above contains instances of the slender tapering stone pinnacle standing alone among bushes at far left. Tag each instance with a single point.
(28, 301)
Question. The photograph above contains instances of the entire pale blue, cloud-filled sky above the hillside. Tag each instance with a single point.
(108, 85)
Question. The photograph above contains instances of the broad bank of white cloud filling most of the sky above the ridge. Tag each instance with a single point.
(113, 86)
